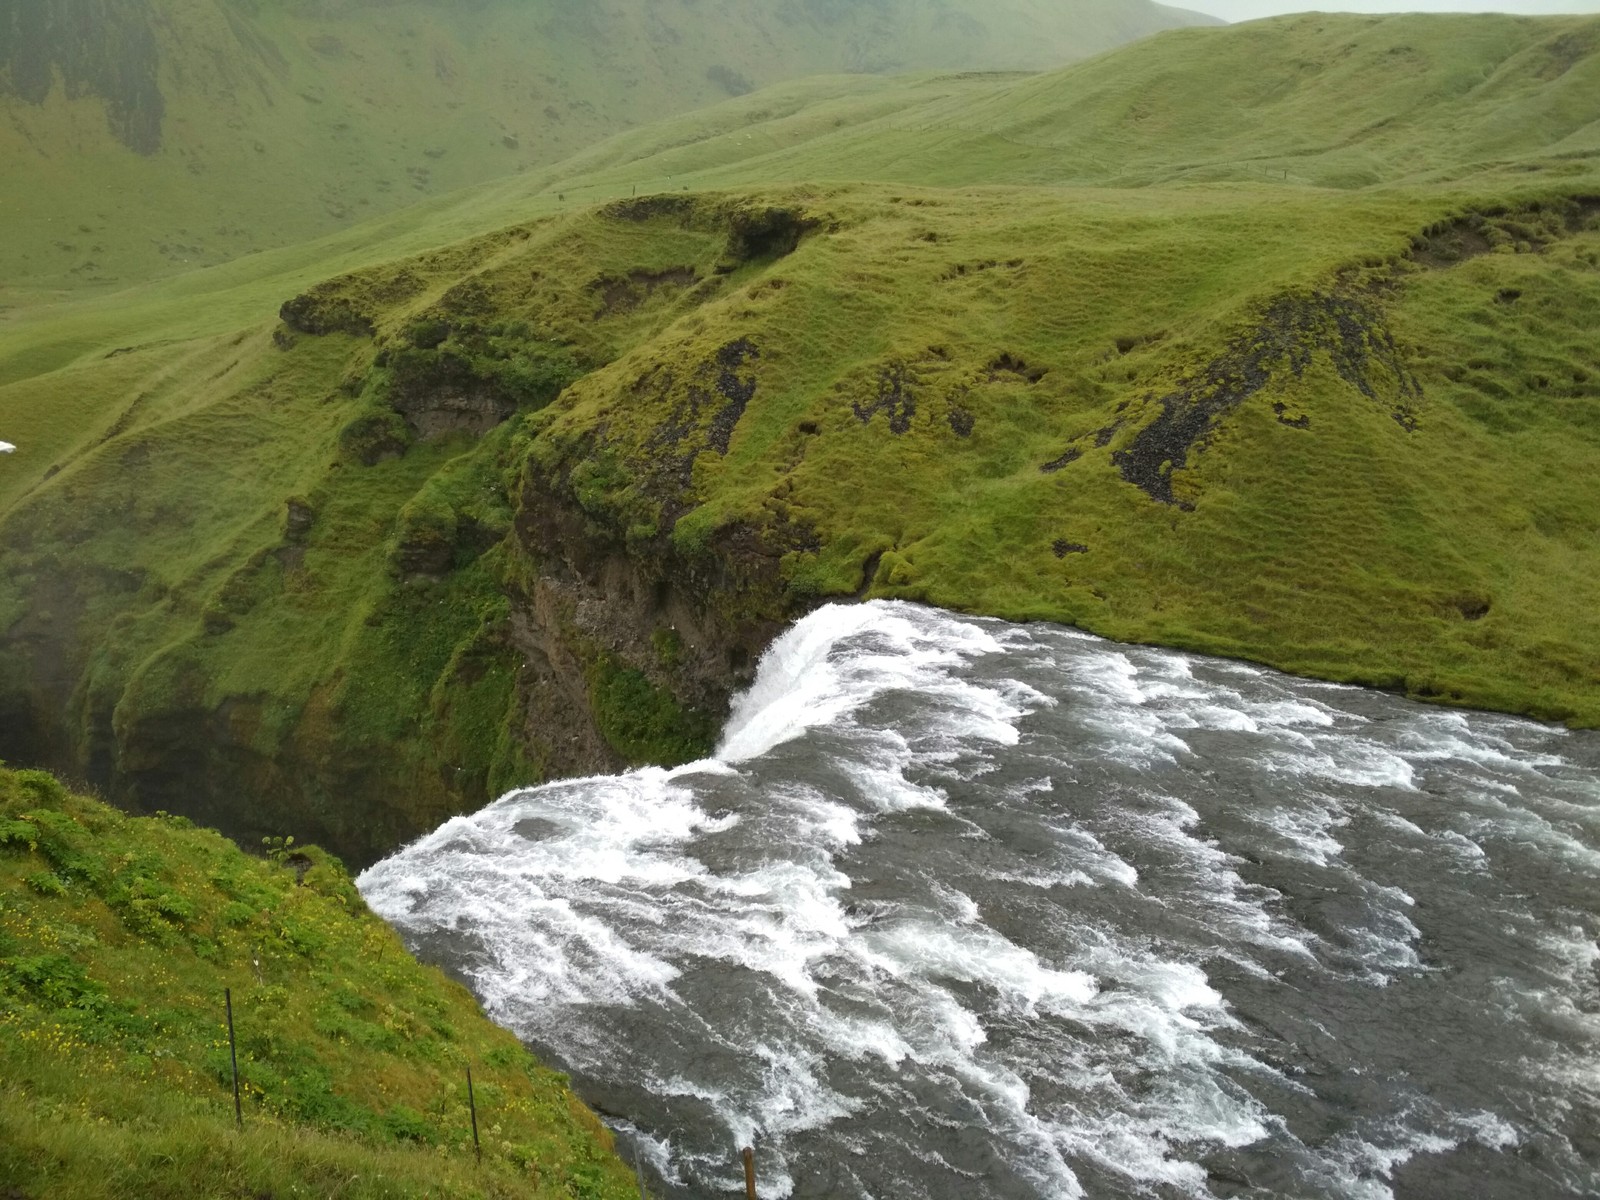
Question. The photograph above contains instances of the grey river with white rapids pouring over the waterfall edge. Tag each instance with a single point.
(970, 910)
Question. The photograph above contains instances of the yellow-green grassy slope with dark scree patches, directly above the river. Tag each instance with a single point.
(1452, 559)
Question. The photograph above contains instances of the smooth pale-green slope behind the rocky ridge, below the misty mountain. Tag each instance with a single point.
(906, 130)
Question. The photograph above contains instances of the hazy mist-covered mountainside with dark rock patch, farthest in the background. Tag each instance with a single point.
(146, 138)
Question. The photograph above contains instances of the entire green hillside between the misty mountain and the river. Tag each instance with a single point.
(1274, 342)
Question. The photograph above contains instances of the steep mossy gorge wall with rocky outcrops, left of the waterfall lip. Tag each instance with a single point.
(409, 602)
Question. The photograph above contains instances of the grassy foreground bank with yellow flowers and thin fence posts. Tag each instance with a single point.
(118, 938)
